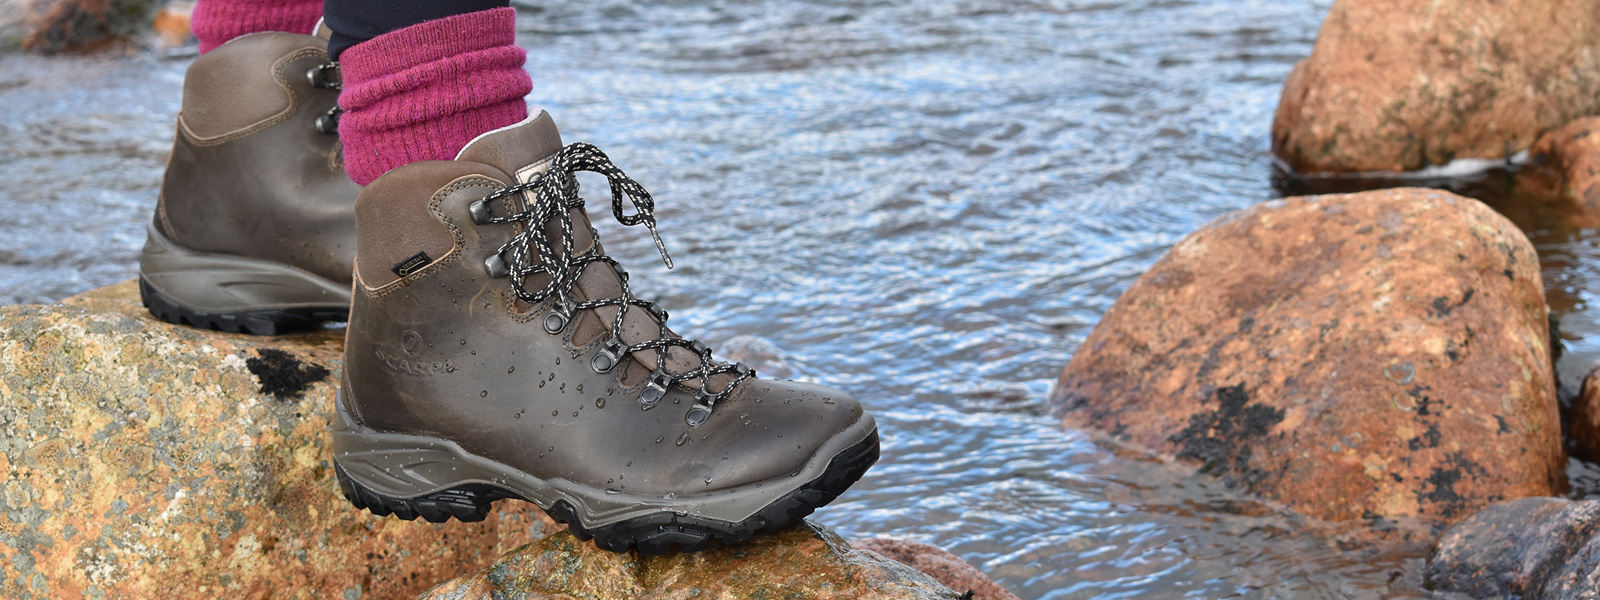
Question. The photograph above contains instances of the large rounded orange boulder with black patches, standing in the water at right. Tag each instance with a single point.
(1366, 356)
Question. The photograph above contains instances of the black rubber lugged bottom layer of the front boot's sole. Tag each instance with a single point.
(652, 535)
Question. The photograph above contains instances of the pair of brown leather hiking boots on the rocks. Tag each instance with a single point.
(494, 350)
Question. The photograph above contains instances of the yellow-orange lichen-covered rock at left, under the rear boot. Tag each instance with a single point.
(145, 460)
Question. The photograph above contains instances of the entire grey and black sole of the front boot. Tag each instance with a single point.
(615, 522)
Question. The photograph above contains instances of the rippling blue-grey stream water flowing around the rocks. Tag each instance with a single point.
(926, 202)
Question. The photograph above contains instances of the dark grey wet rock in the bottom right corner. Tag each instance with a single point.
(1532, 550)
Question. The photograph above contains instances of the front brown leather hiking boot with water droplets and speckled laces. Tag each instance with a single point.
(489, 359)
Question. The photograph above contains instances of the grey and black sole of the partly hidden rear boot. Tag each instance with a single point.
(234, 294)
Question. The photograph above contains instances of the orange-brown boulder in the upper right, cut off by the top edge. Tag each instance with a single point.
(1398, 86)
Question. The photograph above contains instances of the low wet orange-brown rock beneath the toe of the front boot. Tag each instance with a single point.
(802, 562)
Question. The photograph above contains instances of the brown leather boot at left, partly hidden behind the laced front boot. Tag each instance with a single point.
(255, 230)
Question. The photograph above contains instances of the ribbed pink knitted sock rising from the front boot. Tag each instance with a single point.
(425, 92)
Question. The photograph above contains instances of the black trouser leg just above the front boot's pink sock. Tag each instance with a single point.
(356, 22)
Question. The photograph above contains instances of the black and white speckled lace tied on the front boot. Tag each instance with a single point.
(554, 193)
